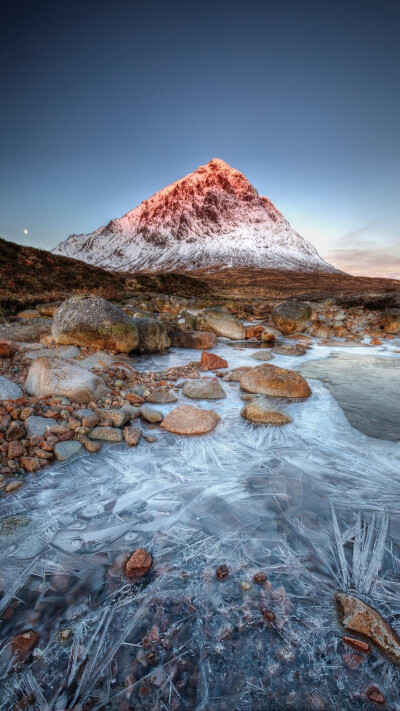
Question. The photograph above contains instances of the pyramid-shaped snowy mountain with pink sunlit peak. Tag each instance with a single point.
(212, 217)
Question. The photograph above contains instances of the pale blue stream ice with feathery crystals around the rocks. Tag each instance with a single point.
(314, 504)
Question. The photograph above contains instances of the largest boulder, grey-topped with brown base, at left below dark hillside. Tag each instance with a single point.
(94, 322)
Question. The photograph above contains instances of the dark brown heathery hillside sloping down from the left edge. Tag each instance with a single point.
(29, 276)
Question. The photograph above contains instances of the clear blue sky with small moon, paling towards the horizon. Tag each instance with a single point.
(103, 103)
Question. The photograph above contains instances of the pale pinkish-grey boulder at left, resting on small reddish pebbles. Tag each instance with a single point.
(56, 376)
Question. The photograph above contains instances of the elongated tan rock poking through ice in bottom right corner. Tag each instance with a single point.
(359, 617)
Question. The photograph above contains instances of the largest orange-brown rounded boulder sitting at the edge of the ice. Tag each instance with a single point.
(276, 382)
